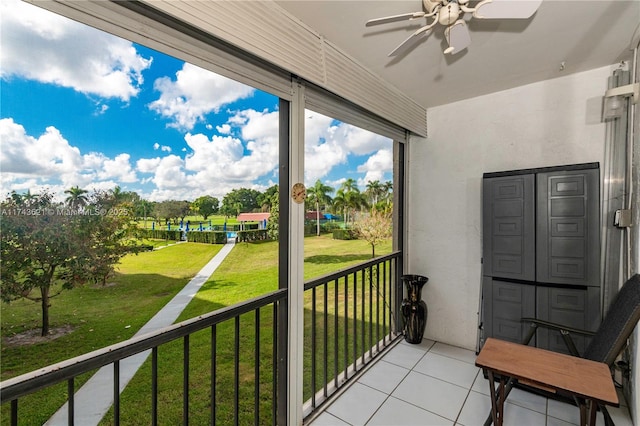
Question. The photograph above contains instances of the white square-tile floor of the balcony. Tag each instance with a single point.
(437, 384)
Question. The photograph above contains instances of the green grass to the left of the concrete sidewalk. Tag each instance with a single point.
(98, 316)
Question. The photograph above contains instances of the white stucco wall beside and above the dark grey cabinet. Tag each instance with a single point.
(550, 123)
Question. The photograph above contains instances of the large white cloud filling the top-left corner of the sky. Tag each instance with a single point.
(48, 48)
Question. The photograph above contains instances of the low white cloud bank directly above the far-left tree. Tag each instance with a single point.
(49, 160)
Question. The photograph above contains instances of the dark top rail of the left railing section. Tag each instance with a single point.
(27, 383)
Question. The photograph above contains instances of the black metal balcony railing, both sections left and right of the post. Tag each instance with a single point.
(233, 359)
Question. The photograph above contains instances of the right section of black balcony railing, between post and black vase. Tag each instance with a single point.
(350, 317)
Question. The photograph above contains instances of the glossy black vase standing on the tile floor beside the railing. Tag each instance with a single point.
(414, 310)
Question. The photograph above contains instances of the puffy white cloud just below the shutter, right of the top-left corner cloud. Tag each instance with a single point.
(194, 93)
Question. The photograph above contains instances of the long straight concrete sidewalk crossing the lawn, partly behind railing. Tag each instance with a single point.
(95, 397)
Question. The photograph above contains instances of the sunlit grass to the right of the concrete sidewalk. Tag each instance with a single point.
(249, 271)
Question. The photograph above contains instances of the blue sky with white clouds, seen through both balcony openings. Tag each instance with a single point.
(81, 107)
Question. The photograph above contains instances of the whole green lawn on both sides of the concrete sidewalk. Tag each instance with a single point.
(100, 317)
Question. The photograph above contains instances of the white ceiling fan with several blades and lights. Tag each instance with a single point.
(450, 13)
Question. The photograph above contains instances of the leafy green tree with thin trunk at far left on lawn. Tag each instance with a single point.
(48, 247)
